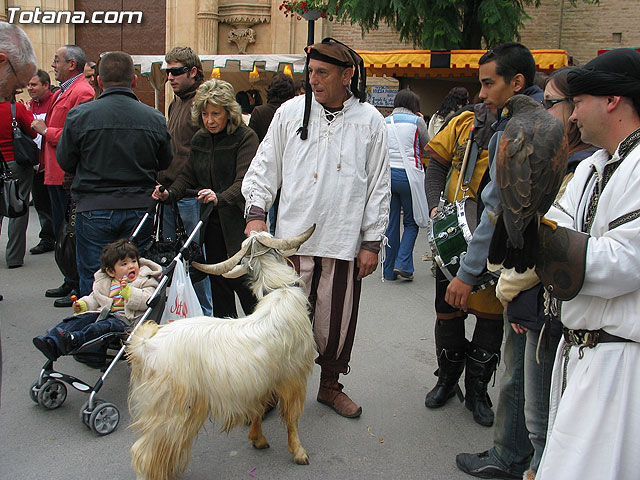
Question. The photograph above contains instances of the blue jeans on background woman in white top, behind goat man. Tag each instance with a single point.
(399, 253)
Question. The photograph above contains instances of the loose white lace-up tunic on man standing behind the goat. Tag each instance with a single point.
(338, 178)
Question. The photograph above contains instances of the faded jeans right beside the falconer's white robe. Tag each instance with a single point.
(537, 387)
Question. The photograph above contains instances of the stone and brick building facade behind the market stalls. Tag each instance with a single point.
(259, 27)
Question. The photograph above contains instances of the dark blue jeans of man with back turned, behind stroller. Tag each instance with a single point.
(97, 228)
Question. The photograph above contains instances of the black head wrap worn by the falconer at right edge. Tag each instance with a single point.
(616, 72)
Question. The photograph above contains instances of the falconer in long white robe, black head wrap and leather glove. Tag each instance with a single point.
(594, 419)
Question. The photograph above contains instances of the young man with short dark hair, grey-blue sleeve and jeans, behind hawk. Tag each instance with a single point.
(507, 70)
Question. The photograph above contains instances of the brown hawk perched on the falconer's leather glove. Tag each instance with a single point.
(530, 165)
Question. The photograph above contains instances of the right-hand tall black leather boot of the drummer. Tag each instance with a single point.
(481, 365)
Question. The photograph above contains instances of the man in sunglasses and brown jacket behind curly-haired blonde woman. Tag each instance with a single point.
(185, 74)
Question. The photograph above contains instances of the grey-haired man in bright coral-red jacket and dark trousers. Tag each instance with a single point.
(68, 65)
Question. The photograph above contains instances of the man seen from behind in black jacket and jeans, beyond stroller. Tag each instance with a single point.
(115, 146)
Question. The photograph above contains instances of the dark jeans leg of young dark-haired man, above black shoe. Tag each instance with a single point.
(511, 445)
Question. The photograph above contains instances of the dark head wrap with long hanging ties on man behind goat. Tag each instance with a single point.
(337, 53)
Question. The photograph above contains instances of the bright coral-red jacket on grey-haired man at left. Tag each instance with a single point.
(78, 92)
